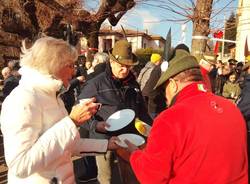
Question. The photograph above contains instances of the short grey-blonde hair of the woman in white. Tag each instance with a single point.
(48, 55)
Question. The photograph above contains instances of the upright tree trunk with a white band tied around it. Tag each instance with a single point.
(201, 22)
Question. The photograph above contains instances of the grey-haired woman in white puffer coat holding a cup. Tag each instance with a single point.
(39, 135)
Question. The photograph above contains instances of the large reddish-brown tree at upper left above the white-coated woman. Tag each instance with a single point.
(28, 18)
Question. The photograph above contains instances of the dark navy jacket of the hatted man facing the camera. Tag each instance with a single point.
(114, 95)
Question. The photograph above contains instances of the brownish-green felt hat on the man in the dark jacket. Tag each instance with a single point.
(122, 53)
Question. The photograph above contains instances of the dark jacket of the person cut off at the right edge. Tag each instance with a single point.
(244, 101)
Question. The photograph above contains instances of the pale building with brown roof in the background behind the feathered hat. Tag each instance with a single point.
(138, 40)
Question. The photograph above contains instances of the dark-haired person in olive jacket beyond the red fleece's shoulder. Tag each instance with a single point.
(231, 89)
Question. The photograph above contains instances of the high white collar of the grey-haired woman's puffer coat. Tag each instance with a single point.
(43, 82)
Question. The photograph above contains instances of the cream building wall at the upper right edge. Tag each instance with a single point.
(243, 29)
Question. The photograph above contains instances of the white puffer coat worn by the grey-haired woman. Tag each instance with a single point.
(39, 137)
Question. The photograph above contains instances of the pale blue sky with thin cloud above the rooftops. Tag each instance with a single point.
(145, 15)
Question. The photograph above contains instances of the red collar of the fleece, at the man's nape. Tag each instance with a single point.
(190, 90)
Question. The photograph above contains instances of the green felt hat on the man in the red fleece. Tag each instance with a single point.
(181, 61)
